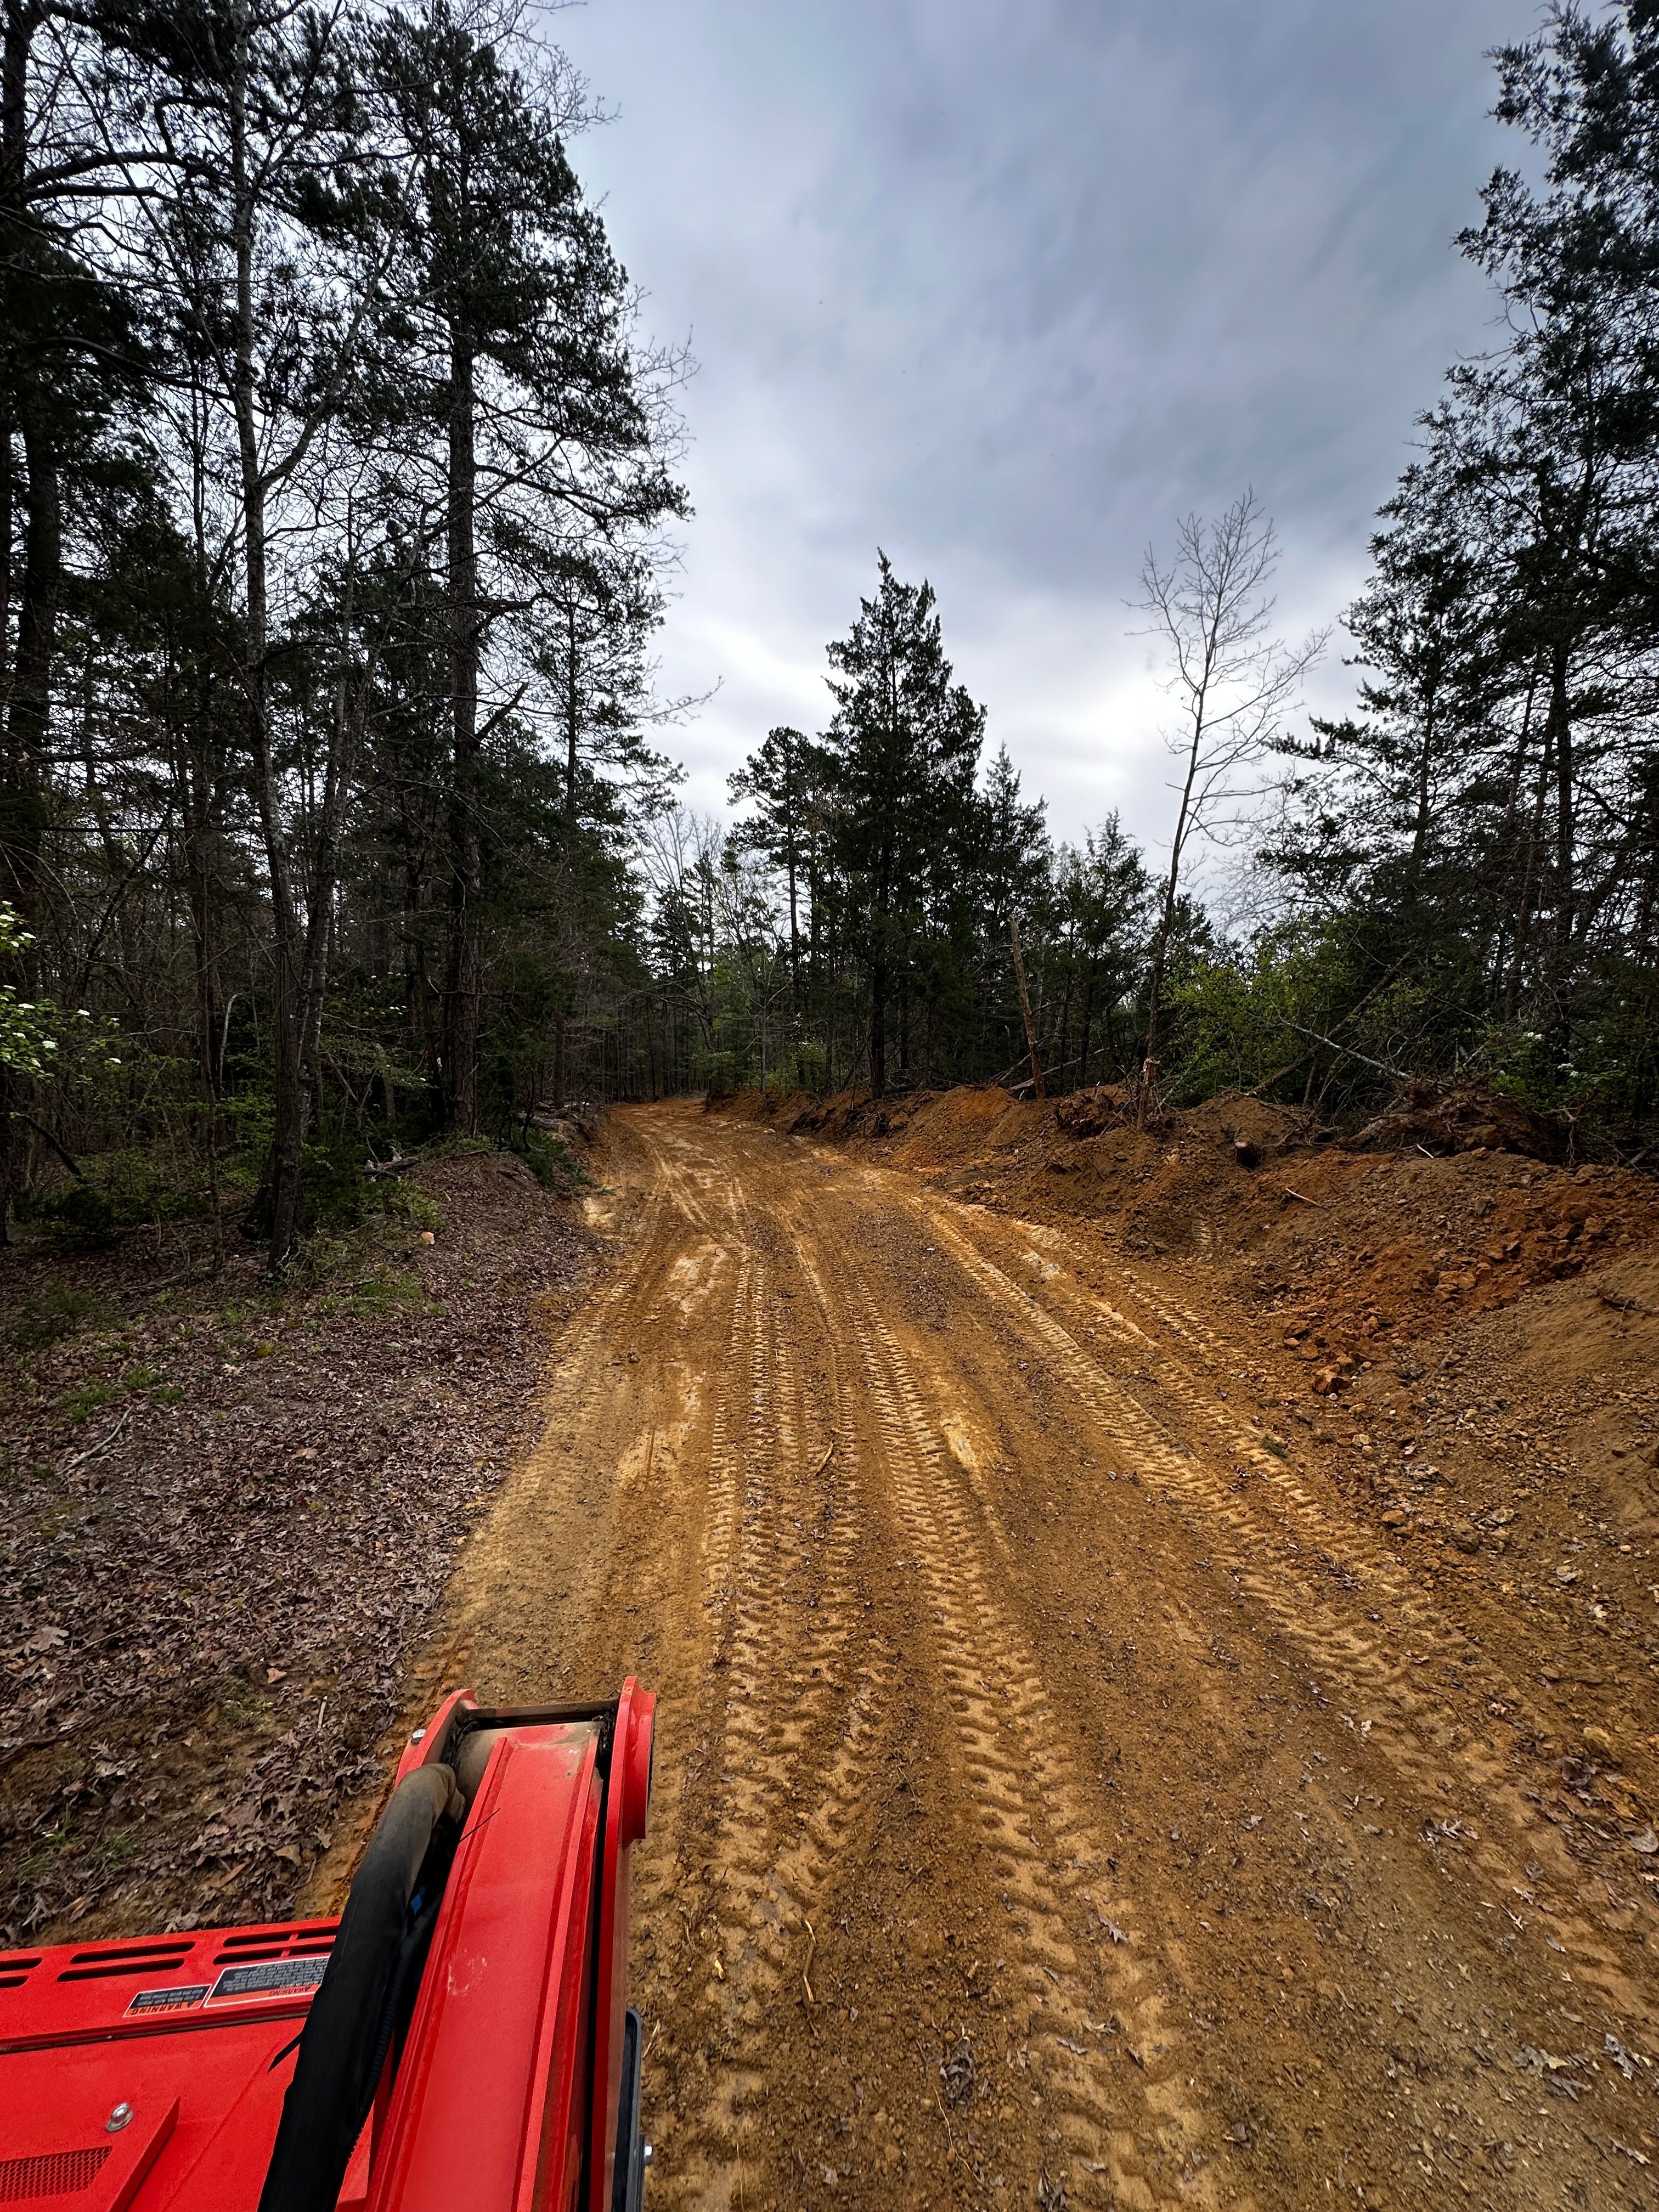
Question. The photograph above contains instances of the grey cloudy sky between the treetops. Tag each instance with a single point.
(1005, 286)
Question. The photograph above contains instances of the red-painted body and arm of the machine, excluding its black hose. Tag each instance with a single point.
(152, 2074)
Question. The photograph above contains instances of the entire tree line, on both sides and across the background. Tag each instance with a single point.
(337, 505)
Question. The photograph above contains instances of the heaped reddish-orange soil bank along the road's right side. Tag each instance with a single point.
(1373, 1242)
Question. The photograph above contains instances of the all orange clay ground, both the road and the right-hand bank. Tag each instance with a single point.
(1158, 1658)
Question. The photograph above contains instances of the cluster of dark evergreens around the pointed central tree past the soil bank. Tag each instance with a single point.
(859, 921)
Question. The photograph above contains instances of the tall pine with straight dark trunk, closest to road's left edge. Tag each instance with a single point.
(514, 326)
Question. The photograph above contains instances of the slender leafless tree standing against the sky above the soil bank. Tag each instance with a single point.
(1233, 685)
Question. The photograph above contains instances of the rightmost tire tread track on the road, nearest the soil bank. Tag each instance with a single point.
(1275, 1578)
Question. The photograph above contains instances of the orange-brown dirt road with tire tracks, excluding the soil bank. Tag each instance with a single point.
(1061, 1797)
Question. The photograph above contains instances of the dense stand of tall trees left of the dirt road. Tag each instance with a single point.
(333, 501)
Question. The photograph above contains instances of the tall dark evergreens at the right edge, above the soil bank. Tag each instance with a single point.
(1490, 813)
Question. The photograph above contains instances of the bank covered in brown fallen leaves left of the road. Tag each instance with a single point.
(225, 1519)
